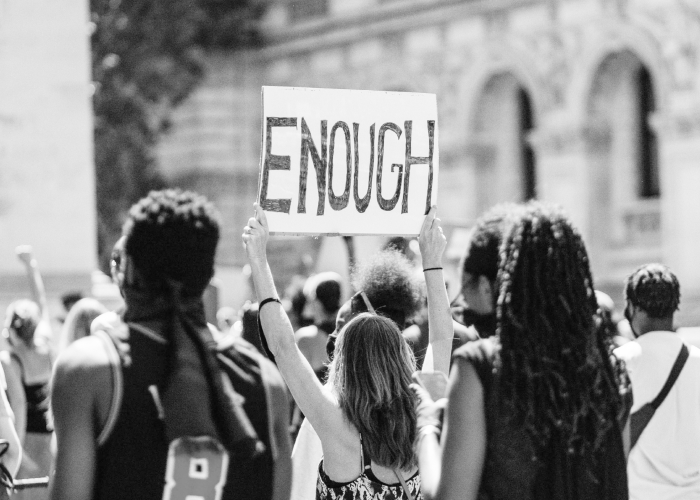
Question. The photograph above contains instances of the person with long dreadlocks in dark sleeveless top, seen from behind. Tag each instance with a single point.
(534, 411)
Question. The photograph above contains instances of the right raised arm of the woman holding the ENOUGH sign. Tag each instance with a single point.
(440, 327)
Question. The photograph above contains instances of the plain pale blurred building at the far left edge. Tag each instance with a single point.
(47, 187)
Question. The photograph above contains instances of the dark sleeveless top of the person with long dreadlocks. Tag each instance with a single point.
(515, 470)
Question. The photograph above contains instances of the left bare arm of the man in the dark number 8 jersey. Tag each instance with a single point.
(73, 401)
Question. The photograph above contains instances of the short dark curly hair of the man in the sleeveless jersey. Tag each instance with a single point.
(172, 235)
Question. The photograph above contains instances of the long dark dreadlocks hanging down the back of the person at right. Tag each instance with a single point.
(556, 367)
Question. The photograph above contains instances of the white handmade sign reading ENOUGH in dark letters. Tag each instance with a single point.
(347, 162)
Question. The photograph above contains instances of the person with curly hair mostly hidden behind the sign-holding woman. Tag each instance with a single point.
(387, 286)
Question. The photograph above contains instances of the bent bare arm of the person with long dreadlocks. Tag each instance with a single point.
(451, 469)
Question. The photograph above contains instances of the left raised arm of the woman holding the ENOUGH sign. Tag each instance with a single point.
(315, 401)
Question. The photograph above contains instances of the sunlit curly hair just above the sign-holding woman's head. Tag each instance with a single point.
(389, 282)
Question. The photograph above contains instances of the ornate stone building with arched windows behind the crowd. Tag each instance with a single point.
(593, 104)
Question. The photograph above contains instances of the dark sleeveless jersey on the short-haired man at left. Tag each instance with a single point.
(132, 453)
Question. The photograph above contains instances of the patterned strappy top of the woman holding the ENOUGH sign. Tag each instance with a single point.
(366, 486)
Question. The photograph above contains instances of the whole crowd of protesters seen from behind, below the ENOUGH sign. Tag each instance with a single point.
(522, 387)
